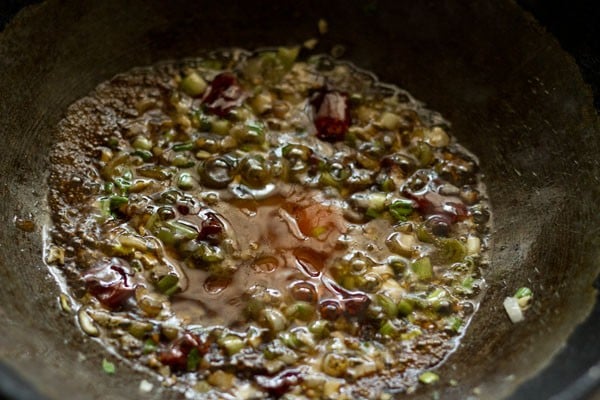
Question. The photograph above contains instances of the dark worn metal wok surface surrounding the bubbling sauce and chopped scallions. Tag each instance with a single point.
(514, 97)
